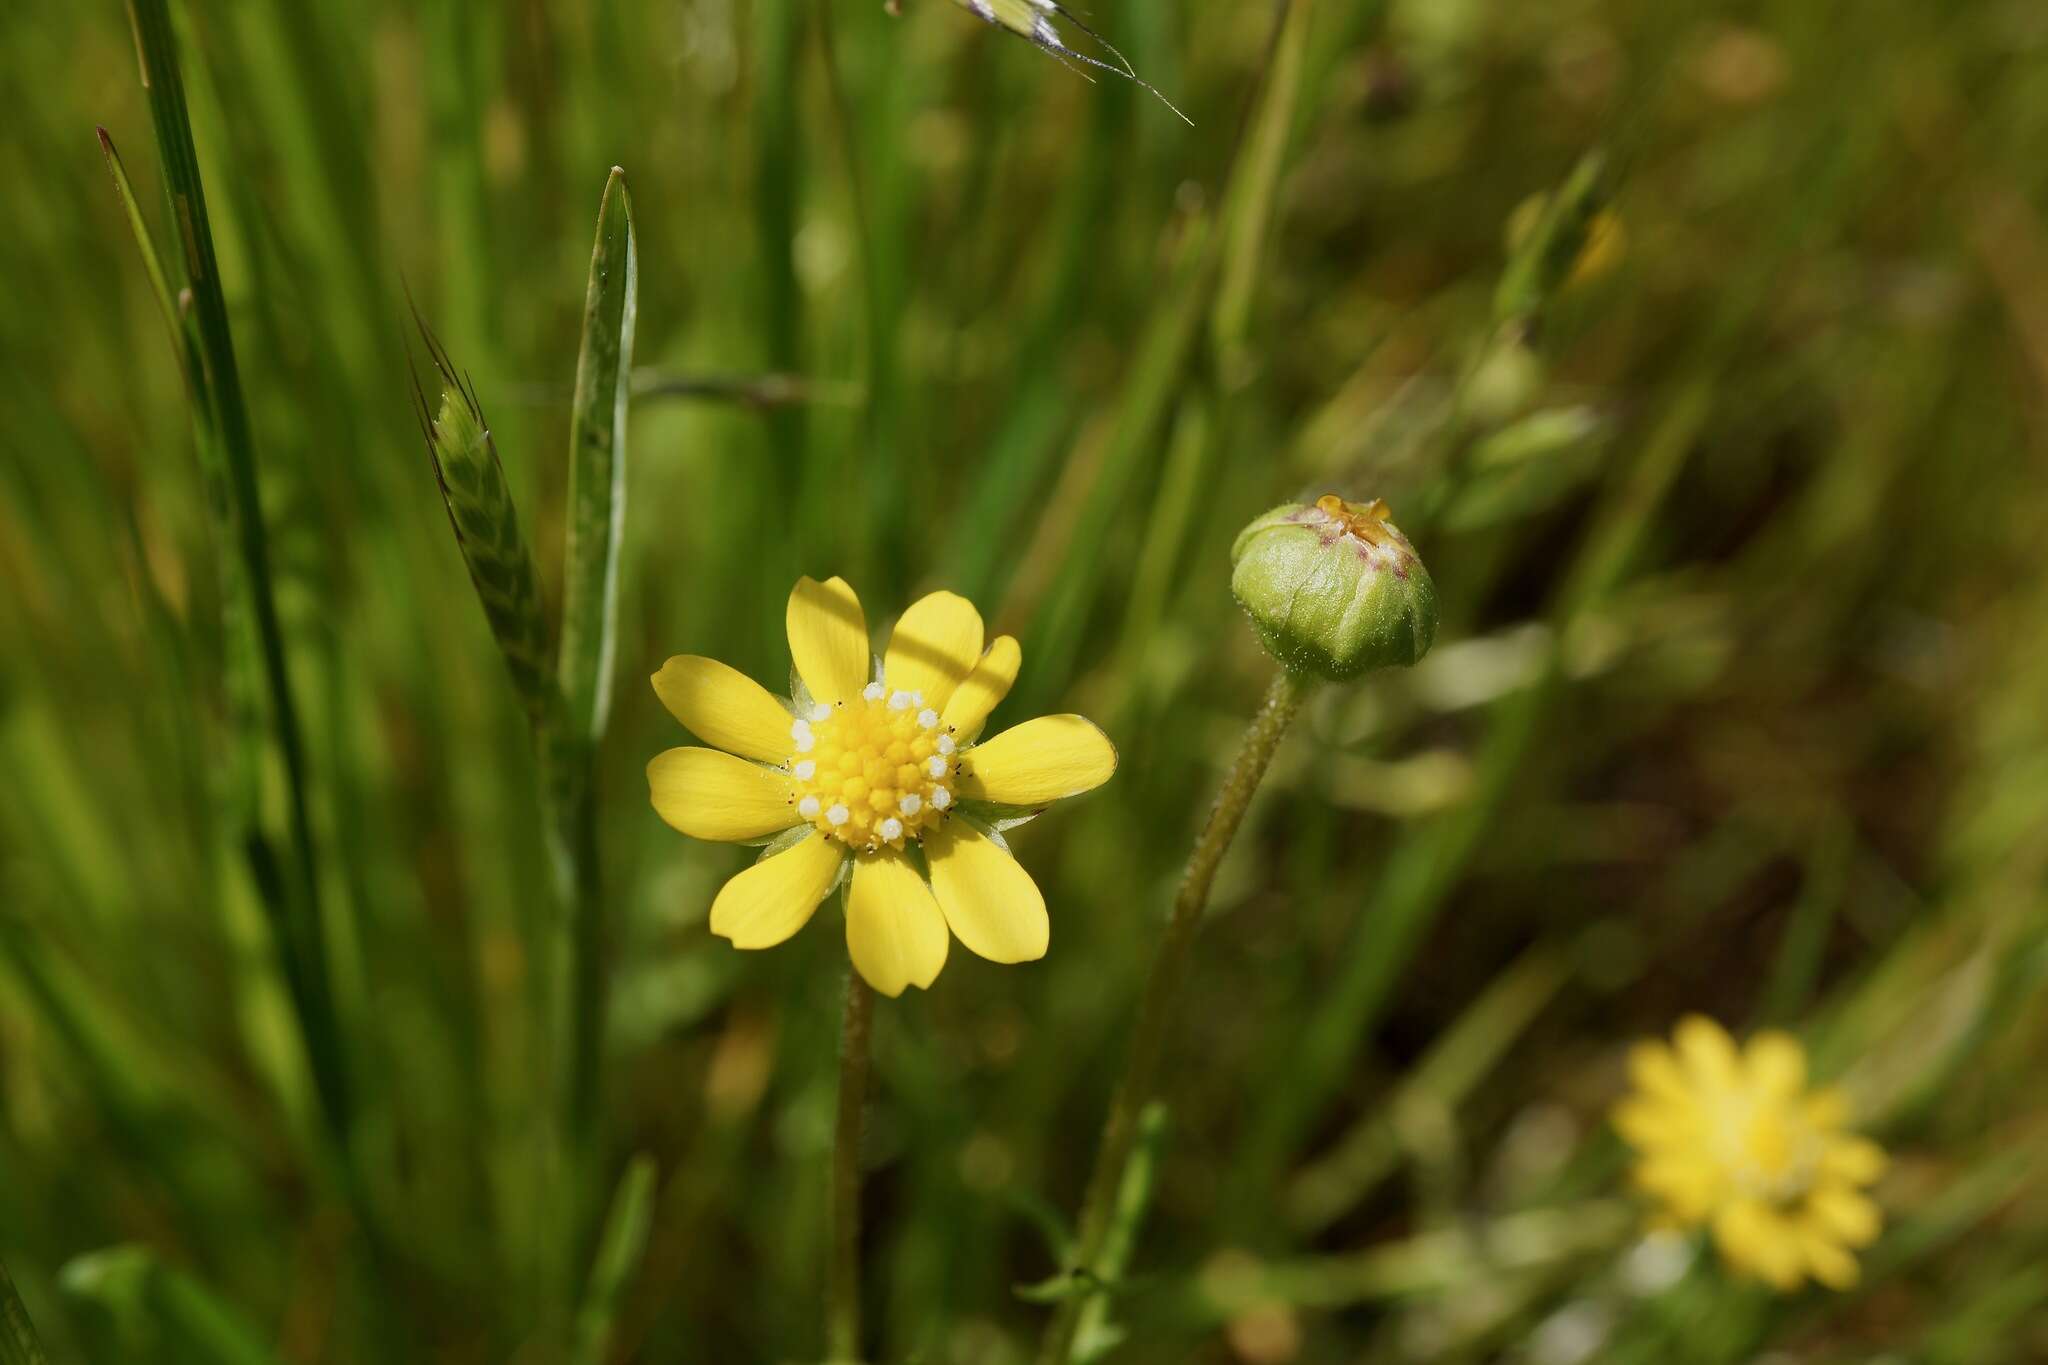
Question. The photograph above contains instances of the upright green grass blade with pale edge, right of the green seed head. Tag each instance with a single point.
(599, 466)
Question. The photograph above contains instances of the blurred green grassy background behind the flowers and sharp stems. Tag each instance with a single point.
(1738, 703)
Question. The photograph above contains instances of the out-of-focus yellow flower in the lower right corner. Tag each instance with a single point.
(1738, 1143)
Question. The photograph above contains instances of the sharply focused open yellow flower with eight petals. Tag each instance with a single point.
(878, 770)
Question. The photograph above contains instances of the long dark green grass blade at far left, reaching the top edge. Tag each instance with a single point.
(302, 938)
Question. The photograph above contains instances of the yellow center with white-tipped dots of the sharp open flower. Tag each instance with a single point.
(876, 770)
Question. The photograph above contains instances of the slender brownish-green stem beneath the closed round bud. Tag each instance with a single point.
(1119, 1137)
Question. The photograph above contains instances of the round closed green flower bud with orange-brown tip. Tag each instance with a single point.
(1334, 588)
